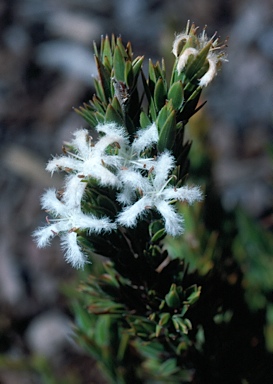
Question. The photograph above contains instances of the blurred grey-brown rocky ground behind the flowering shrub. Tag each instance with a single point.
(46, 68)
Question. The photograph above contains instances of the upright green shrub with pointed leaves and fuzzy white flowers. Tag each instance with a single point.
(152, 308)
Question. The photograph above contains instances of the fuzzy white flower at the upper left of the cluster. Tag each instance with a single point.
(91, 160)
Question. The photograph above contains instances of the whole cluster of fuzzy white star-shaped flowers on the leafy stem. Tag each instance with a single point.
(141, 183)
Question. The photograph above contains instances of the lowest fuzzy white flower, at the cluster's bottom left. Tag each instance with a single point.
(65, 224)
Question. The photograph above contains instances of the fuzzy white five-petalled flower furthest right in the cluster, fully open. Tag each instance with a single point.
(157, 195)
